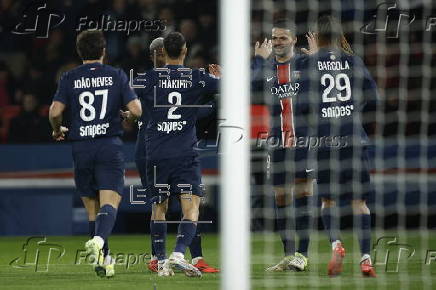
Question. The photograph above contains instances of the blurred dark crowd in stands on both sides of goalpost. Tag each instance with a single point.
(30, 67)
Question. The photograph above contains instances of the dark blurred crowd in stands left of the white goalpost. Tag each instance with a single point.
(30, 67)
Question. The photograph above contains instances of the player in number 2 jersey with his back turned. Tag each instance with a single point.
(171, 97)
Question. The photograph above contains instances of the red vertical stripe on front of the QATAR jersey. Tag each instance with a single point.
(287, 115)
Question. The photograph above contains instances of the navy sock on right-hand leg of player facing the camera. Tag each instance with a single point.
(303, 222)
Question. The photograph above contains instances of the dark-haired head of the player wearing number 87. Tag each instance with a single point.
(90, 44)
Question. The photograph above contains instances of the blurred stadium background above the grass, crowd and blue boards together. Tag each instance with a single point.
(34, 170)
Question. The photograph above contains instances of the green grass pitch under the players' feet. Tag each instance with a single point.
(63, 273)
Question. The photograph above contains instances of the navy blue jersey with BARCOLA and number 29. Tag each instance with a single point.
(335, 87)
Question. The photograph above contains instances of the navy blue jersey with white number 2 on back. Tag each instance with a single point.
(172, 97)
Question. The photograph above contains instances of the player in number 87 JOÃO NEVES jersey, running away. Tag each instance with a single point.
(92, 95)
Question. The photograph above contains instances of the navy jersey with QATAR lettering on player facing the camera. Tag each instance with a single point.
(282, 82)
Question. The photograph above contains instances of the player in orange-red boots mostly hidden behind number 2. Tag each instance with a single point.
(158, 58)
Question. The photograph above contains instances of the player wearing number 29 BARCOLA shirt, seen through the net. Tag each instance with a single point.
(336, 88)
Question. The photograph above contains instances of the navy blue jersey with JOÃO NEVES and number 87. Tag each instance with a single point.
(94, 94)
